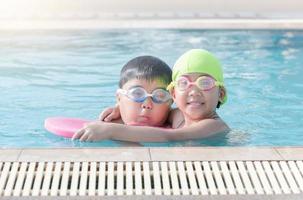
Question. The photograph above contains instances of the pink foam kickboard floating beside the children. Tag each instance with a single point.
(63, 126)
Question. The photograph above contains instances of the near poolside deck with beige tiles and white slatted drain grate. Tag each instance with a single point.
(151, 173)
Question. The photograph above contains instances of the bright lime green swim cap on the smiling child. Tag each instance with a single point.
(199, 61)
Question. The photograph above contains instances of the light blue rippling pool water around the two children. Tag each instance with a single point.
(75, 74)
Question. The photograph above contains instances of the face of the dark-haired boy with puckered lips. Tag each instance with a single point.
(146, 113)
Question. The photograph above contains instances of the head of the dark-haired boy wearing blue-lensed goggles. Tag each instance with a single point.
(142, 96)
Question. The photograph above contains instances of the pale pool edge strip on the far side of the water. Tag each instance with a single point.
(137, 23)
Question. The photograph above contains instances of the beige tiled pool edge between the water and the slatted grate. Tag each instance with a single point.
(151, 154)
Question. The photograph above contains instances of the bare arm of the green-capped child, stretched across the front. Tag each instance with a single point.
(102, 131)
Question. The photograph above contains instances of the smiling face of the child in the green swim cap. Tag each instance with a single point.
(195, 103)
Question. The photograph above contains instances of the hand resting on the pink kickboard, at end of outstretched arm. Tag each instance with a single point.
(93, 131)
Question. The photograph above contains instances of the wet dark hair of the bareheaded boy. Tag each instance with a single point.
(145, 67)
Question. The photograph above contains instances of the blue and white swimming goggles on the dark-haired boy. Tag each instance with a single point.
(139, 95)
